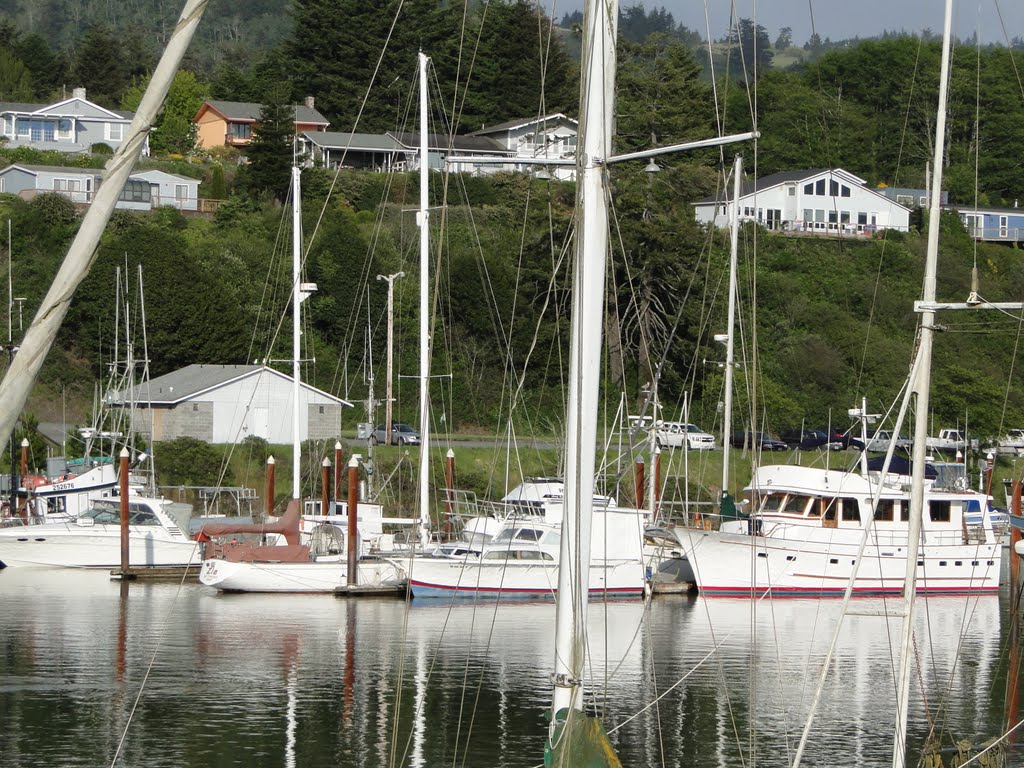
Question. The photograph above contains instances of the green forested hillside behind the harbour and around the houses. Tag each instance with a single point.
(834, 319)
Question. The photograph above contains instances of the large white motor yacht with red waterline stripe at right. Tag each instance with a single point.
(804, 537)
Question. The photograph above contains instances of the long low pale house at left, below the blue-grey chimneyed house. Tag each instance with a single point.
(144, 191)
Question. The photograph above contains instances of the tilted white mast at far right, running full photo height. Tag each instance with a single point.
(921, 388)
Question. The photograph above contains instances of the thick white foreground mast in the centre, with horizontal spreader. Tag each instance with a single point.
(598, 97)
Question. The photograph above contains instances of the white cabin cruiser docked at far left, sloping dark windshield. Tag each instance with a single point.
(158, 536)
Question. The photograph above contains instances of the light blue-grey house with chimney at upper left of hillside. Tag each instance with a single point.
(72, 125)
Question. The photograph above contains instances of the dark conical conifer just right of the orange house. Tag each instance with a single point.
(271, 151)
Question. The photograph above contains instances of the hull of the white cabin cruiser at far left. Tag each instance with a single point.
(59, 546)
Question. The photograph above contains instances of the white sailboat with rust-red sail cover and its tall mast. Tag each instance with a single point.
(291, 566)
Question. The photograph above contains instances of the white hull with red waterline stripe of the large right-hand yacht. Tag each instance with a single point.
(819, 563)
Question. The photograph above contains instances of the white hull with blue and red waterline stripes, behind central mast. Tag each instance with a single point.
(513, 580)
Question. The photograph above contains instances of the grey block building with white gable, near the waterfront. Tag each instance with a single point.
(228, 404)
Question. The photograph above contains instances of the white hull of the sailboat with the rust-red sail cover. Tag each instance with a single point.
(315, 577)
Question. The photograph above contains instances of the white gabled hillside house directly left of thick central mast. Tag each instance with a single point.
(548, 138)
